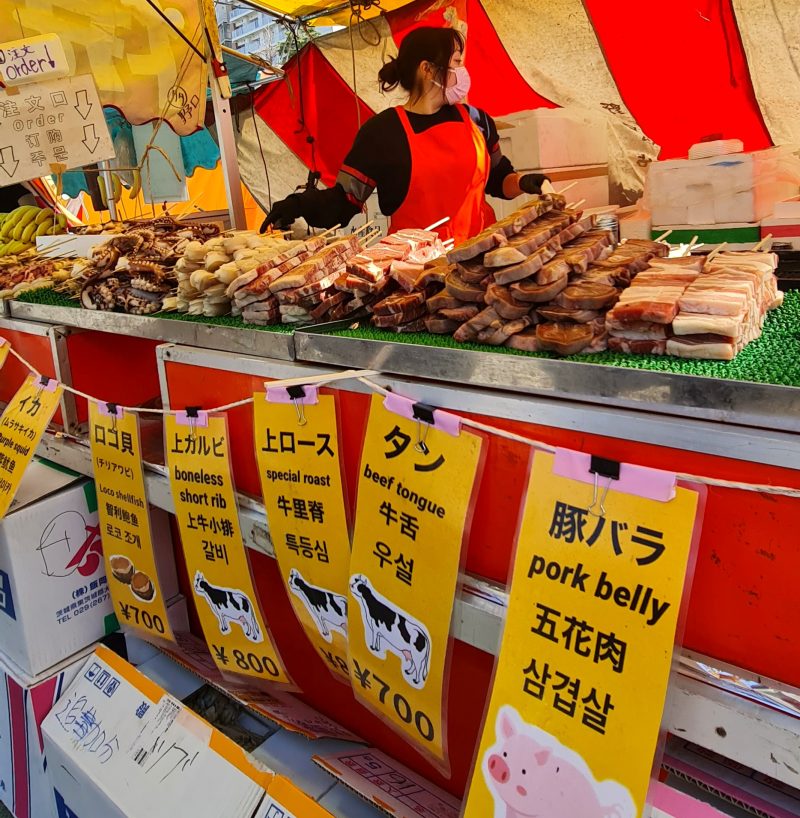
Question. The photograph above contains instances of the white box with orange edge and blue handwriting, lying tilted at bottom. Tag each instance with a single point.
(119, 746)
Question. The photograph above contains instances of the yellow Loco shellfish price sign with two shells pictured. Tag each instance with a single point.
(125, 521)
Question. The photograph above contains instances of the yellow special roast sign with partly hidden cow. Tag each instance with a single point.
(298, 461)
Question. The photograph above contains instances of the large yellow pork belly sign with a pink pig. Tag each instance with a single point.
(574, 717)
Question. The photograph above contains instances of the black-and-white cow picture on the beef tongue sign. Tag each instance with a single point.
(387, 626)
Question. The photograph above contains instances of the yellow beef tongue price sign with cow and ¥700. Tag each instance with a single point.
(413, 500)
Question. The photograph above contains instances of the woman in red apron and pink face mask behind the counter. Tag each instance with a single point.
(430, 158)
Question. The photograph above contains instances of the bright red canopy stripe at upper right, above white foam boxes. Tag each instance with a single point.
(681, 70)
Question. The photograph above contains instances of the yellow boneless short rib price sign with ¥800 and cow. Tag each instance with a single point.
(207, 513)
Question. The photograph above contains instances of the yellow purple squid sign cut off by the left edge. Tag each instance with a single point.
(21, 428)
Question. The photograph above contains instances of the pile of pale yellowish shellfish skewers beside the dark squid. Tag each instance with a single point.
(207, 268)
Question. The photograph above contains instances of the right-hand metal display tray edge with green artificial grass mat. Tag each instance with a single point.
(759, 387)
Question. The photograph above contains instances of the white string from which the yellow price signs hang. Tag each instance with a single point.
(492, 430)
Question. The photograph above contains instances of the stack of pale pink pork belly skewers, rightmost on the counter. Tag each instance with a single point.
(694, 308)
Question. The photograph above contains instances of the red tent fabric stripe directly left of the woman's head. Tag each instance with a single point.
(313, 103)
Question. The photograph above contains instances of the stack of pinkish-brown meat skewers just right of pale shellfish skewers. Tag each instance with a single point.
(297, 286)
